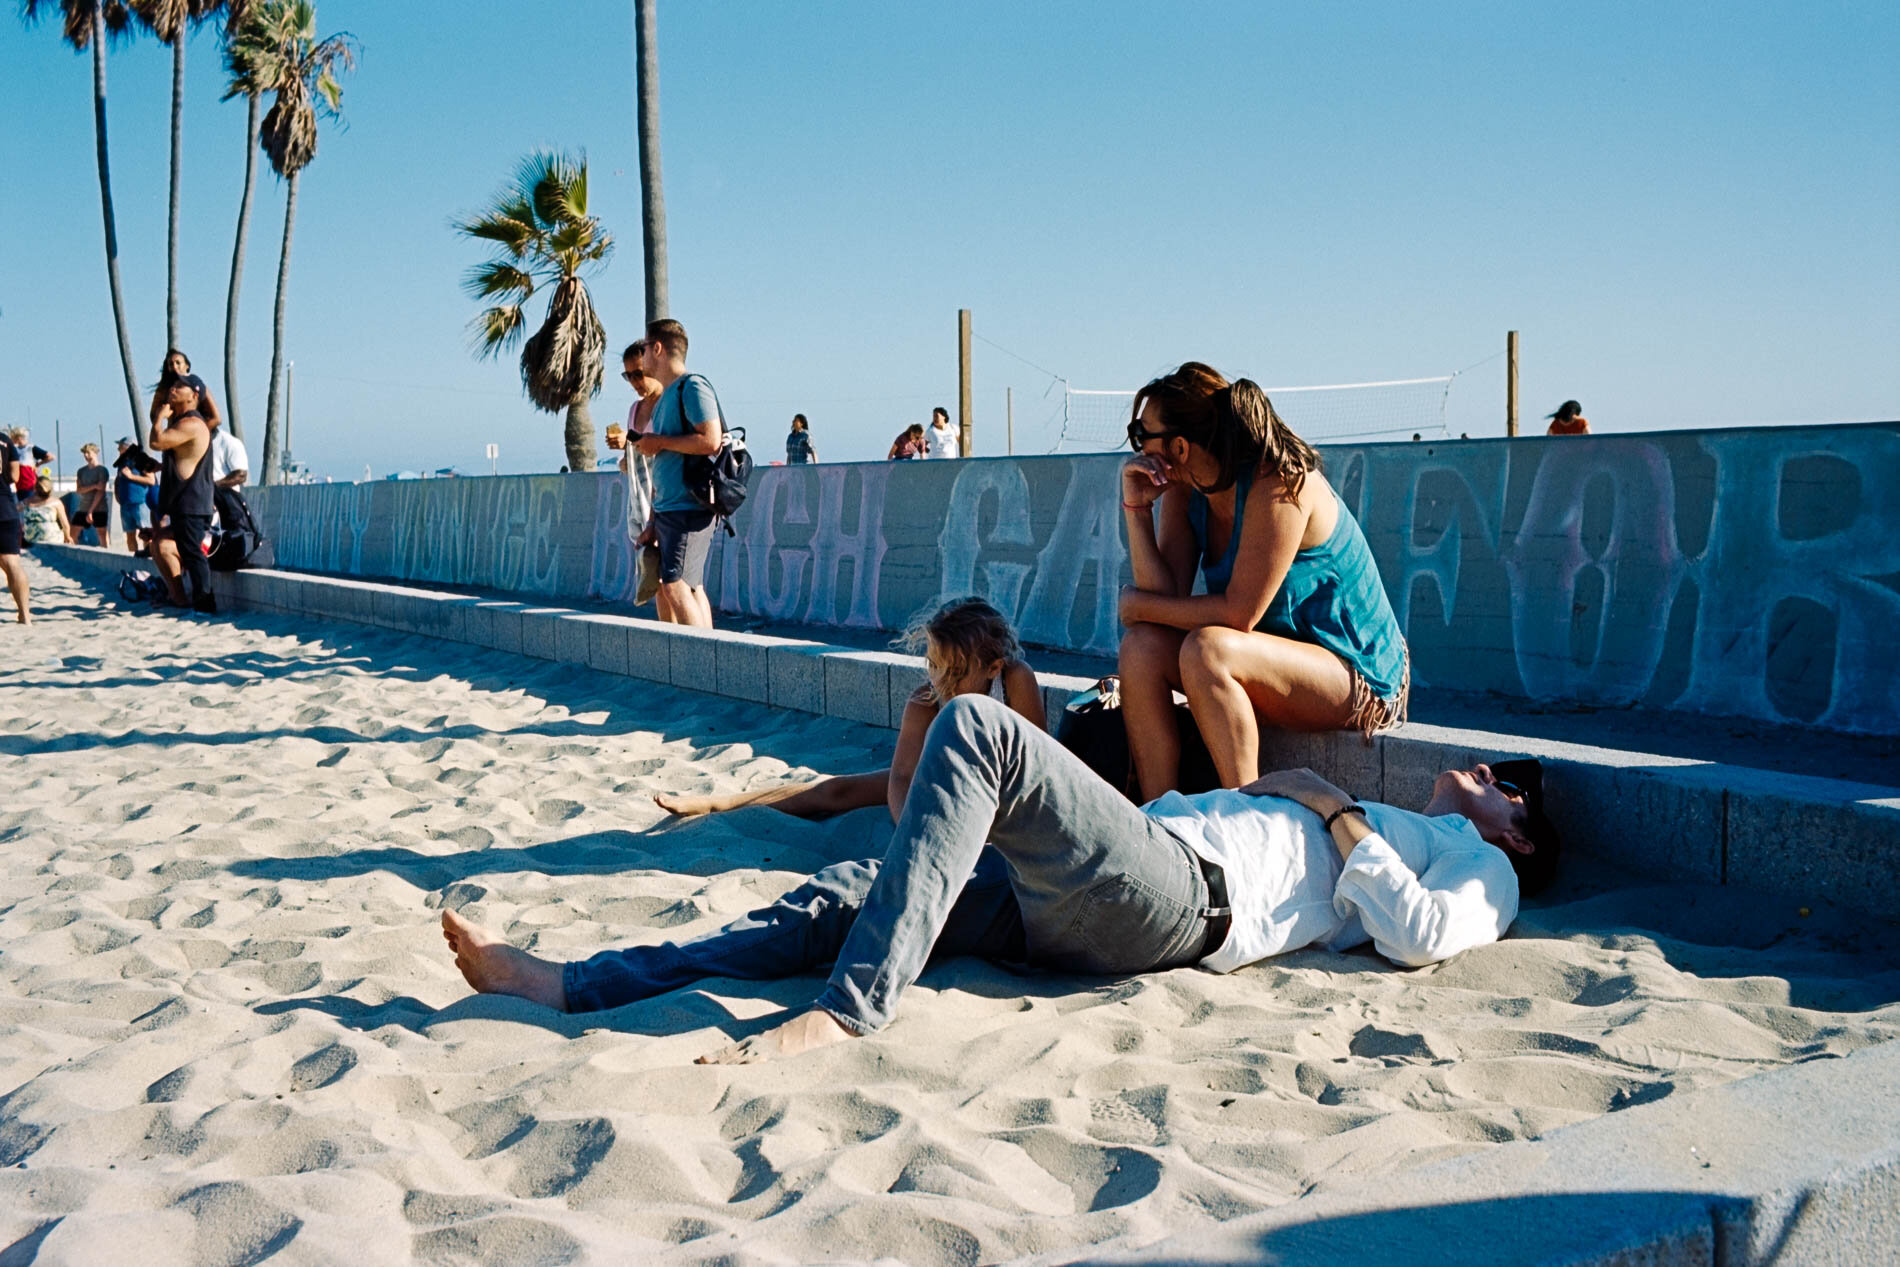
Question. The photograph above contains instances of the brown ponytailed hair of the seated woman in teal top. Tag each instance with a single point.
(1234, 423)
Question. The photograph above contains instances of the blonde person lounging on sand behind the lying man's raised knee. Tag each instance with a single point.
(970, 649)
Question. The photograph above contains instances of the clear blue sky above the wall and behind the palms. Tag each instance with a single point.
(1692, 212)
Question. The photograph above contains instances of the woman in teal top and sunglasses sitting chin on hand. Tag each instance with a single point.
(1295, 628)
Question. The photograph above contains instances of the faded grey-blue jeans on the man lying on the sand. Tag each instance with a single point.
(1010, 848)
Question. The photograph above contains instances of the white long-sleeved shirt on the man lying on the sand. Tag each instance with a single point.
(1418, 888)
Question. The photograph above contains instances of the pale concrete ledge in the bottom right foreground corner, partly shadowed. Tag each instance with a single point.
(1800, 1165)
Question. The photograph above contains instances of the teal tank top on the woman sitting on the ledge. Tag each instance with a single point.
(1333, 596)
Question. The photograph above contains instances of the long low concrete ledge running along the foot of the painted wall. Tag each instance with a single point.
(1667, 818)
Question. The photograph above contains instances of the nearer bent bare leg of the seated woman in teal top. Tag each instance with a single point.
(1238, 679)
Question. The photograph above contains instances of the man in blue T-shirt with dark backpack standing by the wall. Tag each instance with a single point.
(687, 425)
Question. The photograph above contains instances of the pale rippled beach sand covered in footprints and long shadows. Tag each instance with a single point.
(233, 1029)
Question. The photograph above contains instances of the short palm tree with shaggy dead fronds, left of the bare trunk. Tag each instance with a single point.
(544, 236)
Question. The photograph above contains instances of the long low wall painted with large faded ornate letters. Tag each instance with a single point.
(1751, 573)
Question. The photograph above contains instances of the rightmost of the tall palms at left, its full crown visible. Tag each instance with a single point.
(286, 58)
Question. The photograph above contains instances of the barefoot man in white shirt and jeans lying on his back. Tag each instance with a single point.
(1012, 850)
